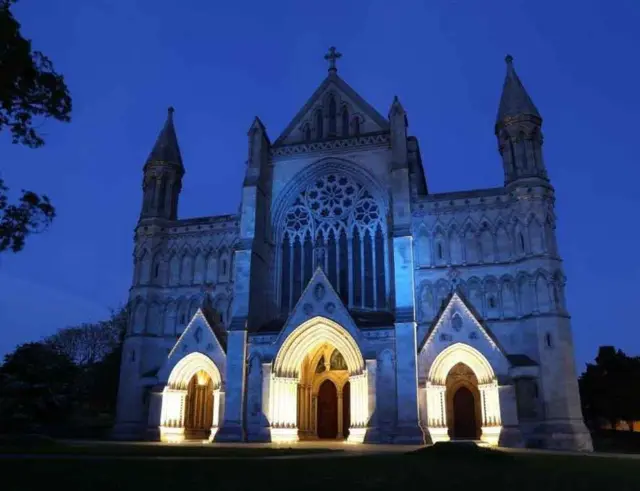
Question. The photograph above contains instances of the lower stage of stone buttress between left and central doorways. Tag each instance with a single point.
(232, 429)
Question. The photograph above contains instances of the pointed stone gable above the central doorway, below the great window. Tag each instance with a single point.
(319, 299)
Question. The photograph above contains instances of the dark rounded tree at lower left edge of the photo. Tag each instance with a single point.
(37, 389)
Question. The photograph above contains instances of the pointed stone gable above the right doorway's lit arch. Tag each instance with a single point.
(458, 322)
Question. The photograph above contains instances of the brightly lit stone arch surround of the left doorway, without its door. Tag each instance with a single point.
(175, 393)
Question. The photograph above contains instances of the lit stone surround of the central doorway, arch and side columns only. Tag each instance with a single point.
(285, 378)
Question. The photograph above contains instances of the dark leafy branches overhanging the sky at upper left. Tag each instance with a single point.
(30, 89)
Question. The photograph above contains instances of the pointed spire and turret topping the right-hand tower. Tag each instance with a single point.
(518, 129)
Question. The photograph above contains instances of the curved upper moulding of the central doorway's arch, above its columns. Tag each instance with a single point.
(310, 334)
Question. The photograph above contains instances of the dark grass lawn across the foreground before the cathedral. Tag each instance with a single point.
(426, 469)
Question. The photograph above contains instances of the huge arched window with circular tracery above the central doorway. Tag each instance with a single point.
(334, 224)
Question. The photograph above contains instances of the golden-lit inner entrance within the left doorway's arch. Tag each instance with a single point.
(199, 407)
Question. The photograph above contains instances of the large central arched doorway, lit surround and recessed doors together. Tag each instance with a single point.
(316, 351)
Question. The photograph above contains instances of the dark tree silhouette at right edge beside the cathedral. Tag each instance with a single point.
(609, 387)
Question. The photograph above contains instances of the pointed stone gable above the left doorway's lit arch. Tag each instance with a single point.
(198, 337)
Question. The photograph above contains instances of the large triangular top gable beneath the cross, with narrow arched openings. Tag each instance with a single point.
(369, 120)
